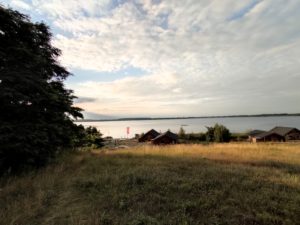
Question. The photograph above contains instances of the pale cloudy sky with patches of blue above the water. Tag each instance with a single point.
(176, 58)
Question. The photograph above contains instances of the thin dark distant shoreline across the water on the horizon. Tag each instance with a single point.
(191, 117)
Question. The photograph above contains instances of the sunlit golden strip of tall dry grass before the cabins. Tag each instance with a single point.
(230, 152)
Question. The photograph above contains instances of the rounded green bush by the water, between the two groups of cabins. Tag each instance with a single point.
(218, 133)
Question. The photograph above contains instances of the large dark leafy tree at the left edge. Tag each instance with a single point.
(36, 109)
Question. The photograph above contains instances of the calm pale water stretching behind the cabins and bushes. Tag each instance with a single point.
(117, 129)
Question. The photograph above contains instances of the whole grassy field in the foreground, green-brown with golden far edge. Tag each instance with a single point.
(181, 184)
